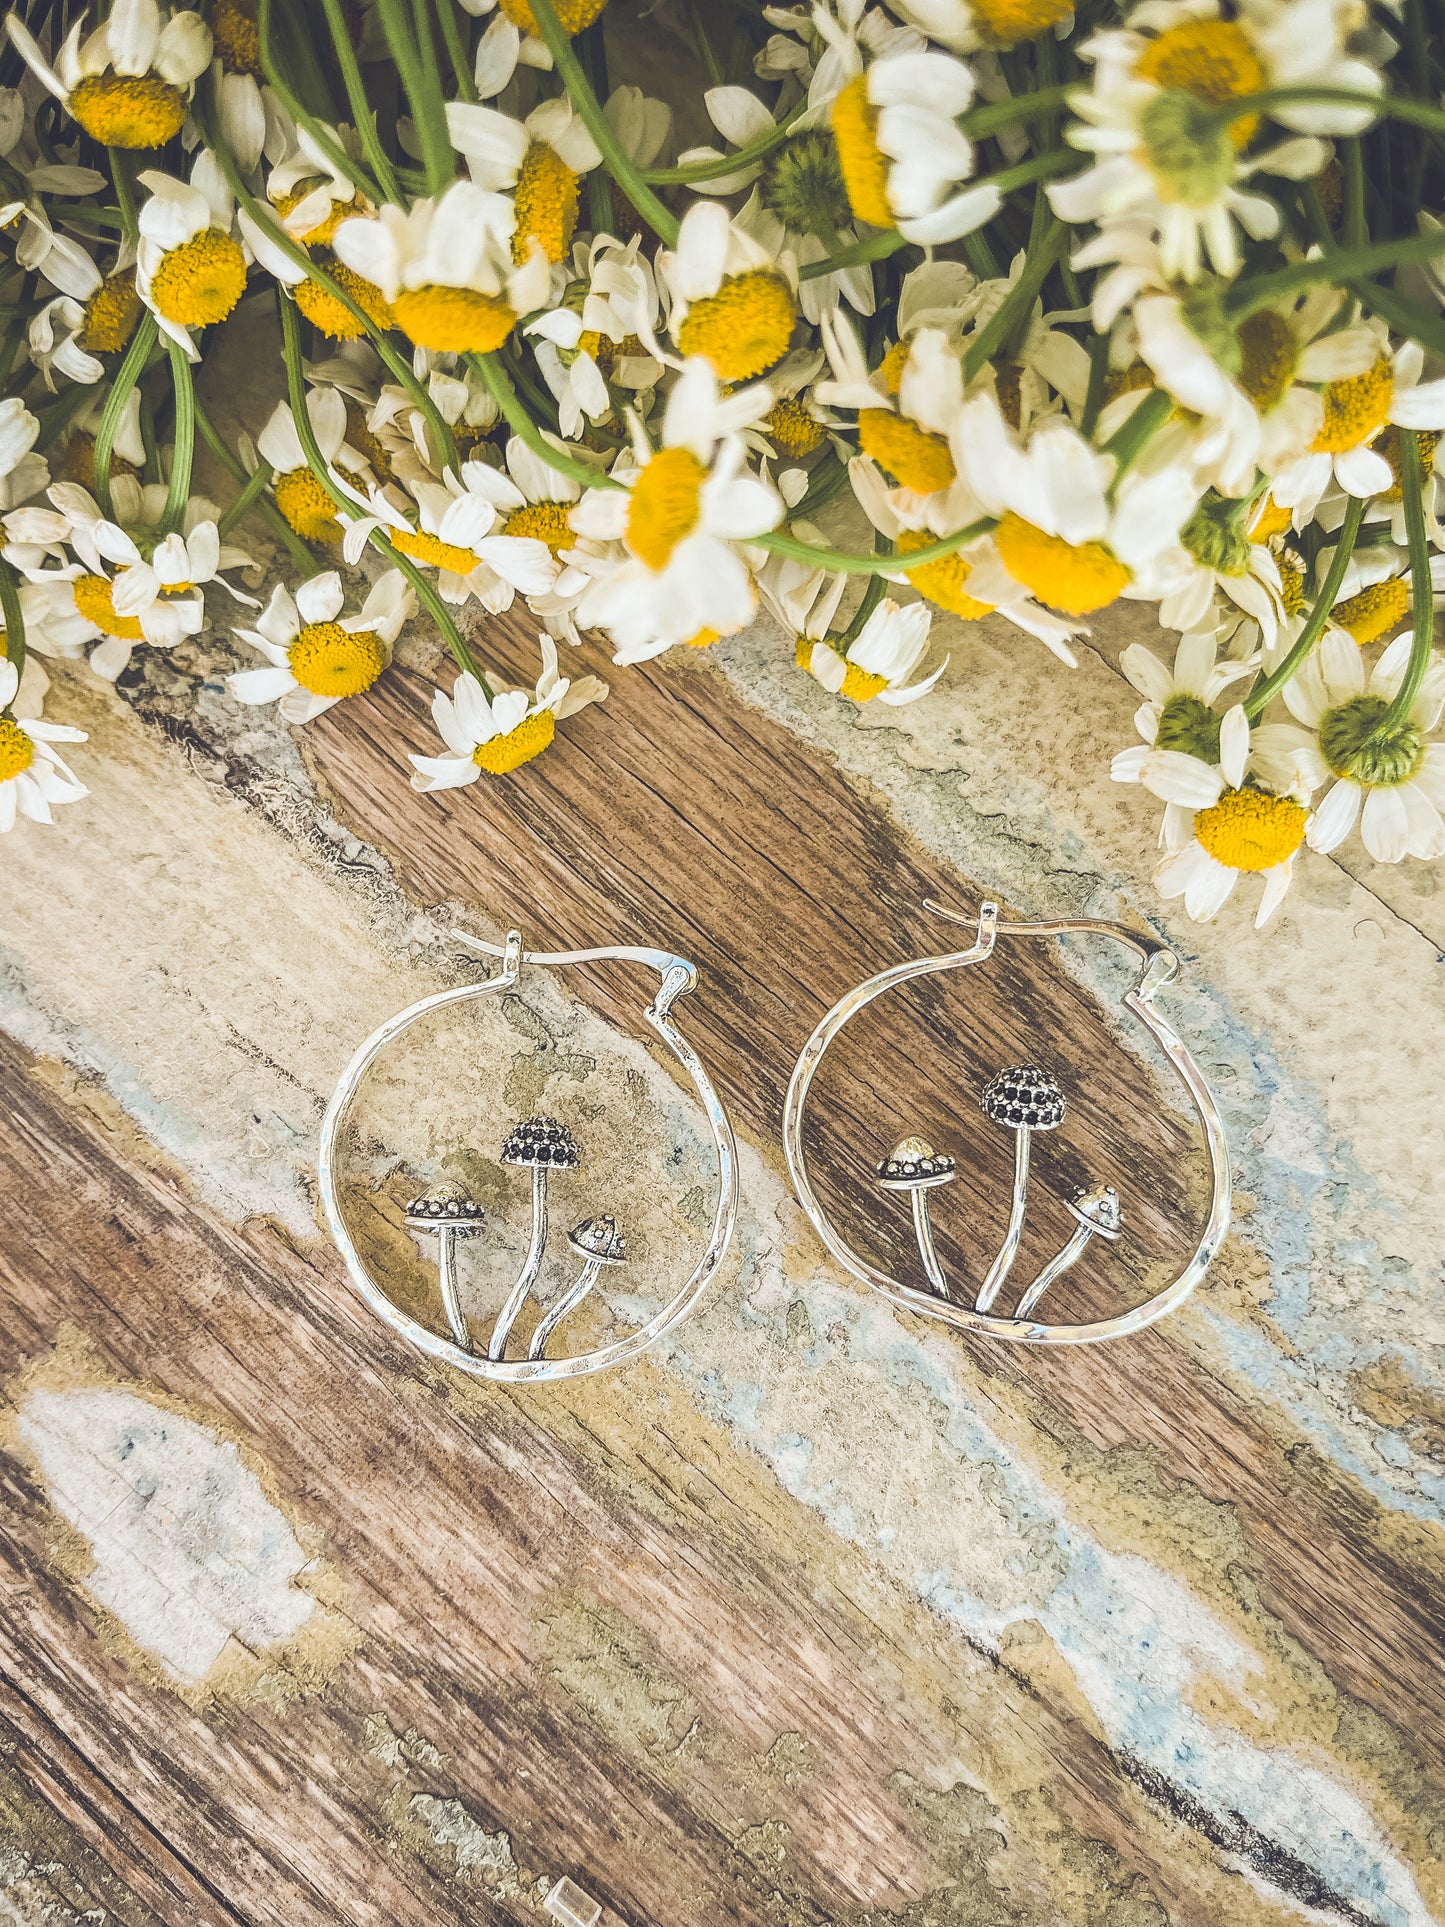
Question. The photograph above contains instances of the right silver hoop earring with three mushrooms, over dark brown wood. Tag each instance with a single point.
(1022, 1099)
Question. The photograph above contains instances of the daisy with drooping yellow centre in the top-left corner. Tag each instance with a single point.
(130, 80)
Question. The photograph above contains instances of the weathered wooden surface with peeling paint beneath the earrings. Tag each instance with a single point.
(820, 1616)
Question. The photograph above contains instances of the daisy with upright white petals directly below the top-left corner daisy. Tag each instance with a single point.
(190, 269)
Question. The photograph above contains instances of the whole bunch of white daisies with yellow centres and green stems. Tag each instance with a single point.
(960, 311)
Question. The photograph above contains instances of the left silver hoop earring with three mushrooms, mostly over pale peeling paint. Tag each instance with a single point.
(546, 1149)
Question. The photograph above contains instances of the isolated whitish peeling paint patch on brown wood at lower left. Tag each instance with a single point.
(188, 1550)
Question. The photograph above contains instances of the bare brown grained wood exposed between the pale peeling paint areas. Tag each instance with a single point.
(579, 1631)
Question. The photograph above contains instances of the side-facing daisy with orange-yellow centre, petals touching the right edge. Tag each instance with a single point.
(1355, 411)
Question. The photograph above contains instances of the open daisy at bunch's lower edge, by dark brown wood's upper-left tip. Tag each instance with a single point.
(315, 652)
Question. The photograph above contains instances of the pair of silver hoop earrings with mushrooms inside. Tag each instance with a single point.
(1022, 1099)
